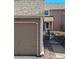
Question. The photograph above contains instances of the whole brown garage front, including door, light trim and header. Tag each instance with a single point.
(27, 36)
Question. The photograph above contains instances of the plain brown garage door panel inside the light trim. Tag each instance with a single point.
(26, 36)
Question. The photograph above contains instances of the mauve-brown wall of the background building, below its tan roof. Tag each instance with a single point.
(59, 19)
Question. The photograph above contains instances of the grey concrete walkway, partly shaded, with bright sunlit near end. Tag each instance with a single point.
(58, 50)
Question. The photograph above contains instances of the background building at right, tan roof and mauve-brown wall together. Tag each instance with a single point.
(56, 10)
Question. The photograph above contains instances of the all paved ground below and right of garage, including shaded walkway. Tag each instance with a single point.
(52, 51)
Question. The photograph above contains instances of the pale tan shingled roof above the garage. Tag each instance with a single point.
(28, 7)
